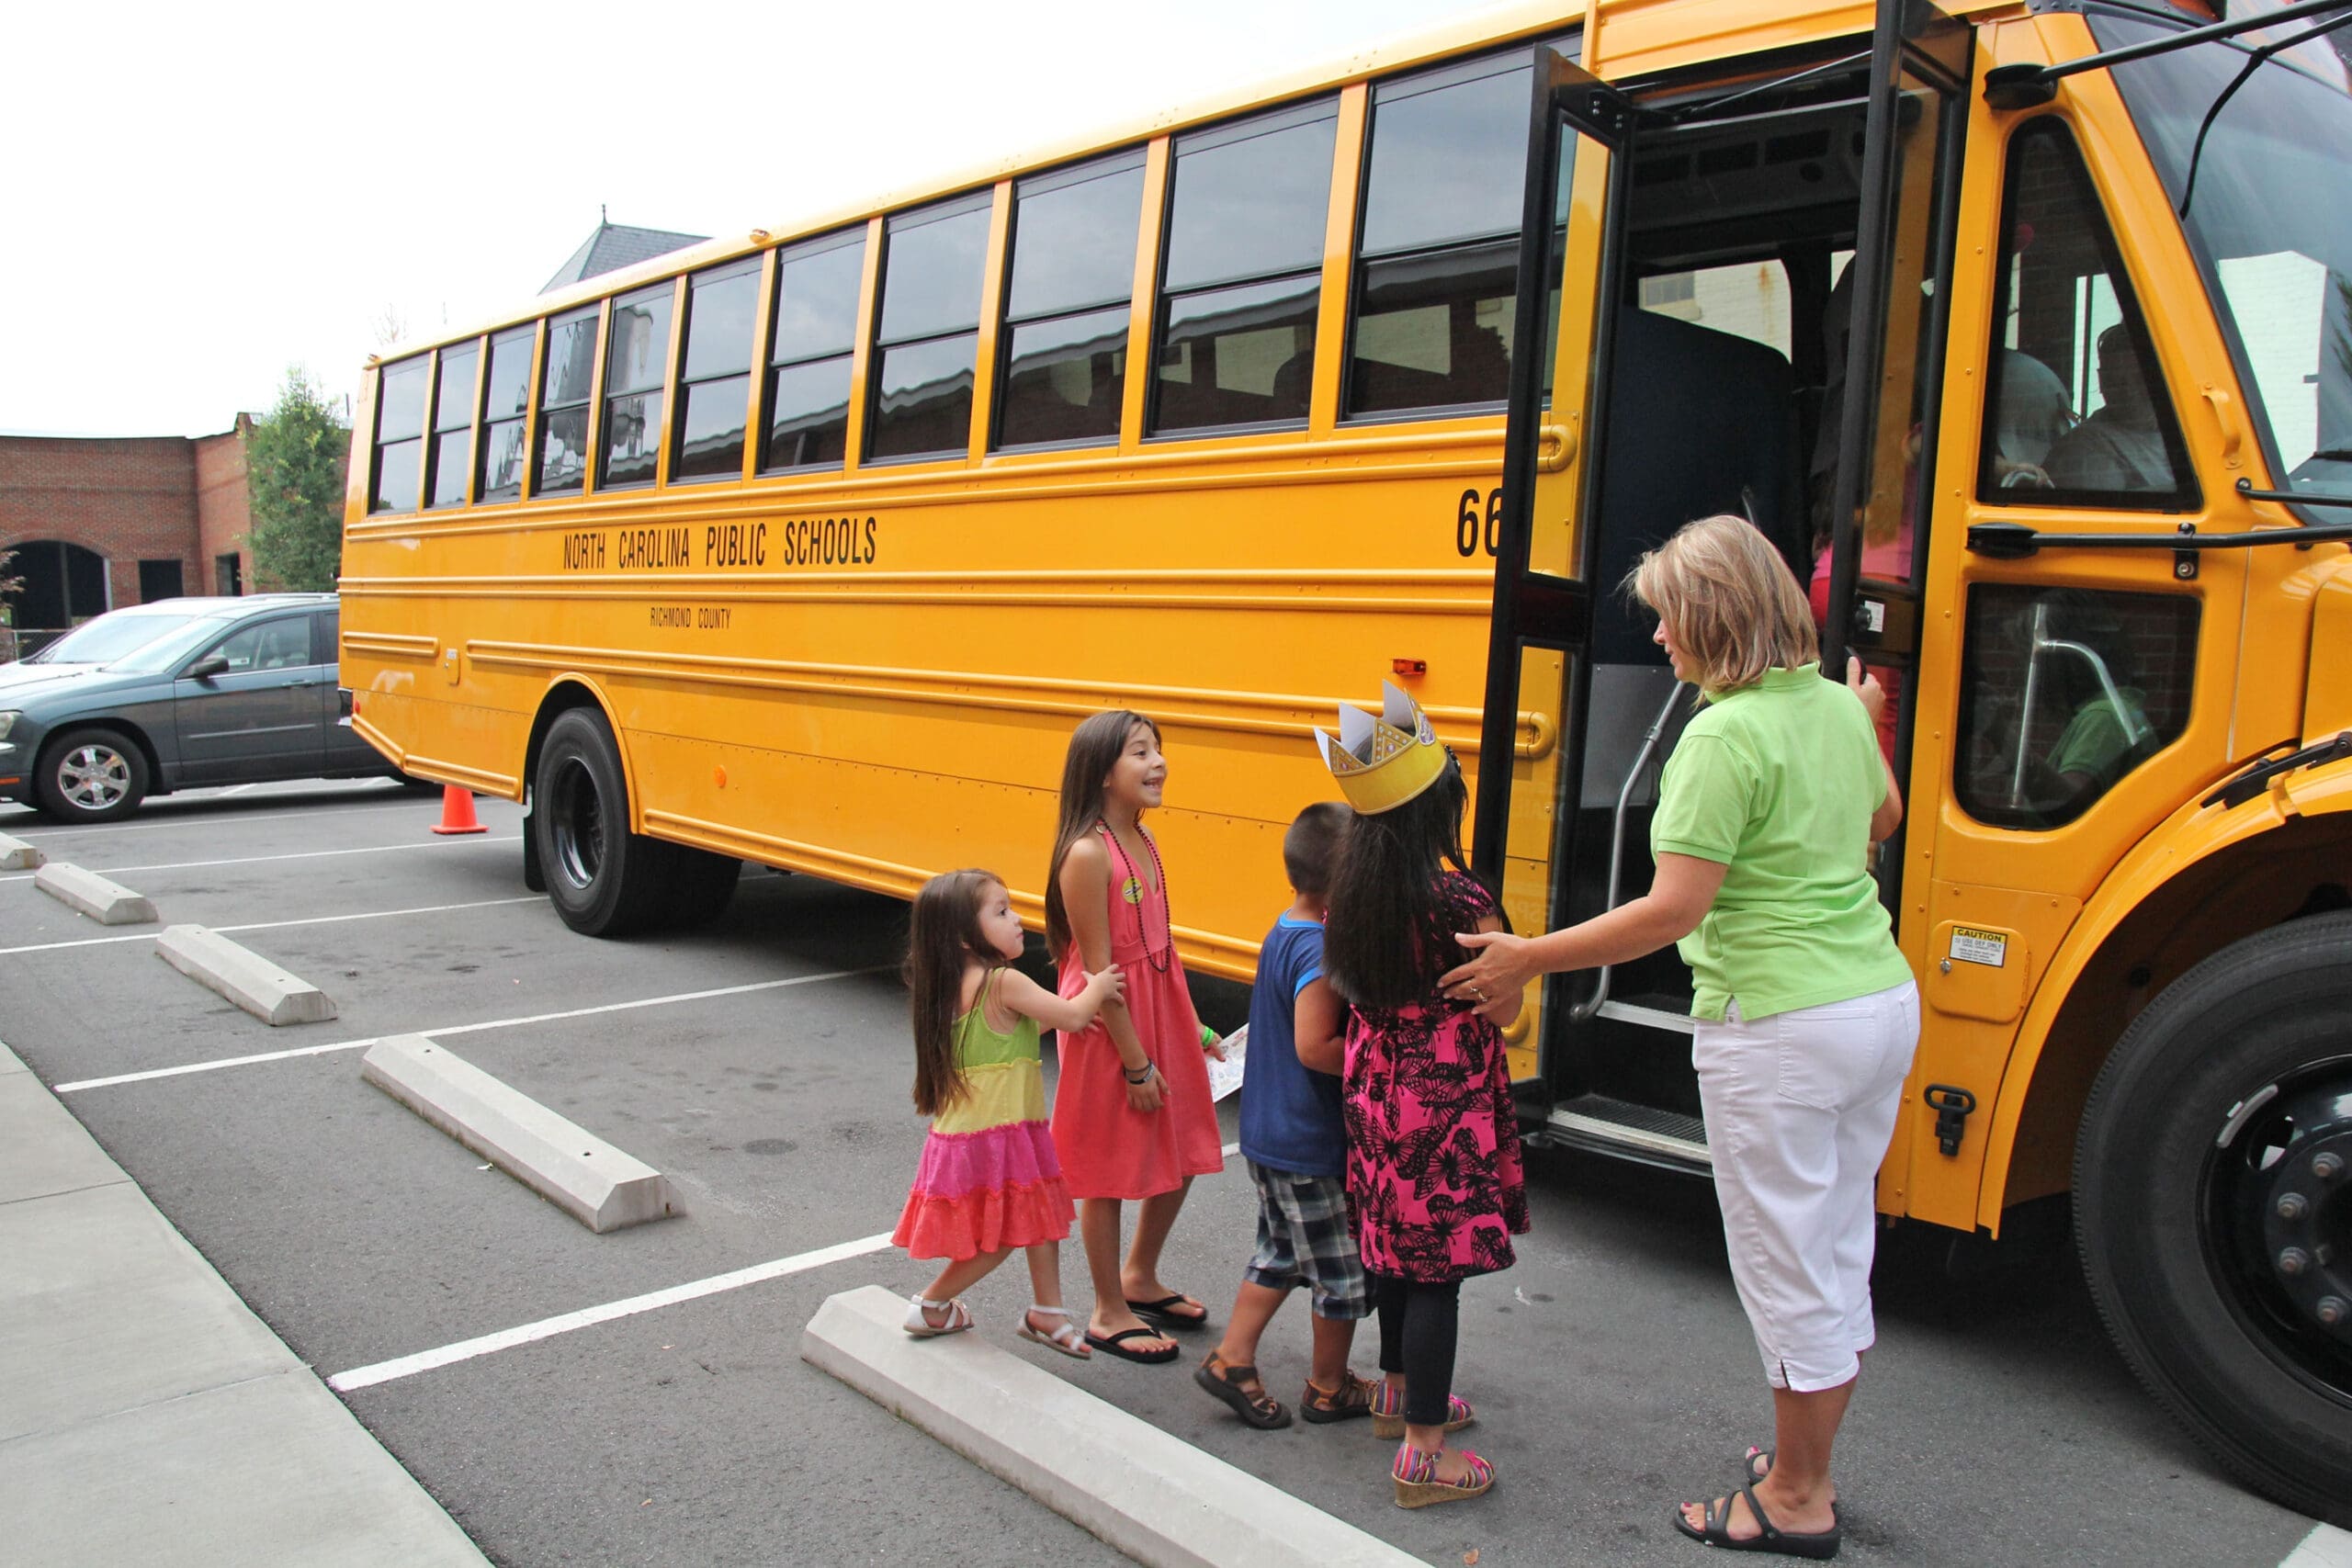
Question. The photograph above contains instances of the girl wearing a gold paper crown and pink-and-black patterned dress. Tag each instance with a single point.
(1434, 1139)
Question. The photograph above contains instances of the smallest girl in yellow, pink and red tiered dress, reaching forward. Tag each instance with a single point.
(989, 1177)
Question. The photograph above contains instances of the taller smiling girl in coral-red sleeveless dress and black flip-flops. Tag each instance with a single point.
(1132, 1113)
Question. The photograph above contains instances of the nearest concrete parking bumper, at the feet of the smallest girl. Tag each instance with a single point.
(1154, 1496)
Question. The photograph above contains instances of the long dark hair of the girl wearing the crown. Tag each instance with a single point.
(1389, 934)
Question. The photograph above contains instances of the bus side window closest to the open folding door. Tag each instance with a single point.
(1441, 239)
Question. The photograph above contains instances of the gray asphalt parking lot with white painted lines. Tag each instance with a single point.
(763, 1066)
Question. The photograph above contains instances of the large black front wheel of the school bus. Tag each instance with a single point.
(2214, 1207)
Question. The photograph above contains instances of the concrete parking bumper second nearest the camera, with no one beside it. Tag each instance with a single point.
(554, 1158)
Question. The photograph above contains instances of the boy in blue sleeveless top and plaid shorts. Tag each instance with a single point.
(1295, 1139)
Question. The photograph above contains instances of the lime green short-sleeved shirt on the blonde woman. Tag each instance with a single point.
(1777, 784)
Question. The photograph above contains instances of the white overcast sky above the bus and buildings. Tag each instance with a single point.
(203, 196)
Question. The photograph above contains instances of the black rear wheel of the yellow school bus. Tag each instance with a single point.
(603, 878)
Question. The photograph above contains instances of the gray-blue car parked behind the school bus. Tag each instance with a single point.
(178, 695)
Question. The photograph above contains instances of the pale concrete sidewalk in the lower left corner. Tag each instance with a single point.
(145, 1412)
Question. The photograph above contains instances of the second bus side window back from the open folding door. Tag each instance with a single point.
(1243, 272)
